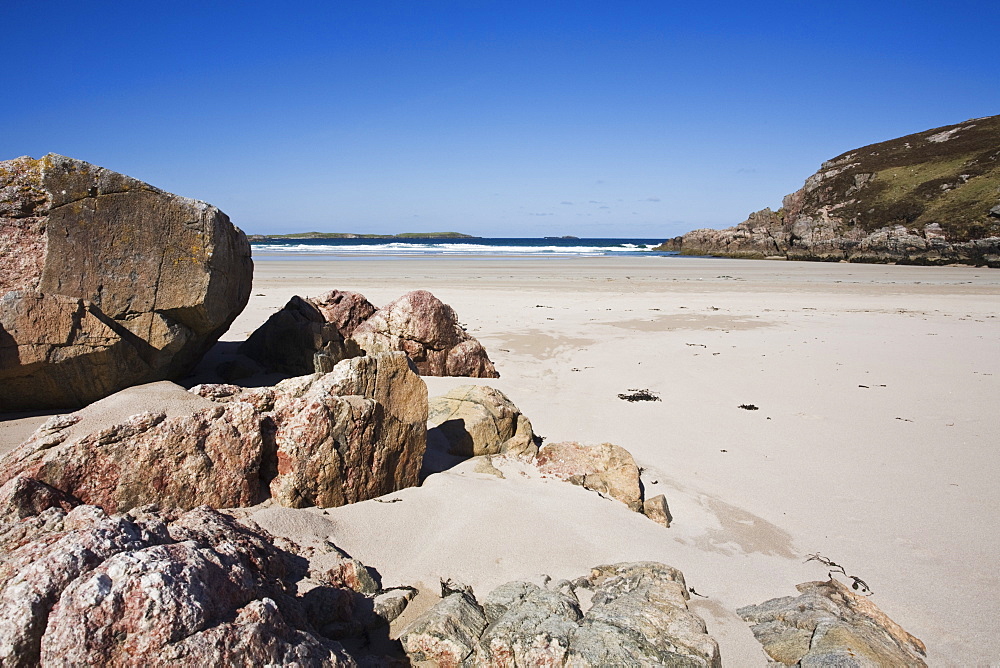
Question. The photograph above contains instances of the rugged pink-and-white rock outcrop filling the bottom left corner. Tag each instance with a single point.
(155, 587)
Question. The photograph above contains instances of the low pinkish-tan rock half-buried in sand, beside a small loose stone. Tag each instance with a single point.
(605, 468)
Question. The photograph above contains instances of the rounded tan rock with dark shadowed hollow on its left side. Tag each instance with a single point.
(480, 420)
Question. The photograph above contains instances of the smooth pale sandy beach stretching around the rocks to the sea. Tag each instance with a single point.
(874, 442)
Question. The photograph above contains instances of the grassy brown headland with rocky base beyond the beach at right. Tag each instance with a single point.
(926, 198)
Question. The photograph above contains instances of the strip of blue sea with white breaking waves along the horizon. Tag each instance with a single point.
(284, 249)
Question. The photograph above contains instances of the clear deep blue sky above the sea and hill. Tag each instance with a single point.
(642, 119)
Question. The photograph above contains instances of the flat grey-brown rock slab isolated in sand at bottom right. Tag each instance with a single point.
(830, 625)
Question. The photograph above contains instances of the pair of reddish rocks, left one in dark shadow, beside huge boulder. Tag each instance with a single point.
(313, 334)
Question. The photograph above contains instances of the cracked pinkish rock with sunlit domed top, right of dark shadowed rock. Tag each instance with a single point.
(427, 330)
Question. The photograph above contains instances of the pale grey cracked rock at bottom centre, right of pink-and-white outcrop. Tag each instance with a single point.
(637, 616)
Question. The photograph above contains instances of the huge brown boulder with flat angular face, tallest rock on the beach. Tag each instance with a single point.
(107, 282)
